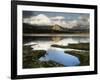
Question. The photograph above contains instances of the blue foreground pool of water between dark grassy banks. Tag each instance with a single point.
(59, 56)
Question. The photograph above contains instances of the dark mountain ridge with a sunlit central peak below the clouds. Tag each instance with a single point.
(27, 28)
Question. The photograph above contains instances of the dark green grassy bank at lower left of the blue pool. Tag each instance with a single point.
(31, 59)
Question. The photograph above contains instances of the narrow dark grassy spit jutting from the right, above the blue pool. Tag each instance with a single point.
(80, 46)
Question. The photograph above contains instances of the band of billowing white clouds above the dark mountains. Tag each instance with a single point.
(41, 19)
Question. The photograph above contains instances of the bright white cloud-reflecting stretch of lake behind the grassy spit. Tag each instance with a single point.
(39, 43)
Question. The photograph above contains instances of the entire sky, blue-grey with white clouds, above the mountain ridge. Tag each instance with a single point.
(66, 20)
